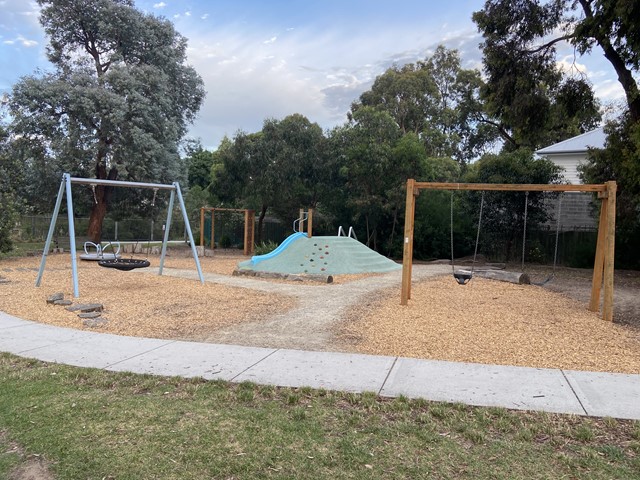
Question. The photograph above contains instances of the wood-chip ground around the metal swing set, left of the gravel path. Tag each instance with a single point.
(136, 304)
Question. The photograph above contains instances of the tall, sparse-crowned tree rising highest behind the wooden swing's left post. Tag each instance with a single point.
(438, 100)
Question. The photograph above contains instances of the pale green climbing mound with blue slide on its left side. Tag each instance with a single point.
(321, 255)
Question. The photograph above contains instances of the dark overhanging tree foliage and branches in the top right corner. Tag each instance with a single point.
(535, 101)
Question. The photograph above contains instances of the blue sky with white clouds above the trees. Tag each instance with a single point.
(264, 59)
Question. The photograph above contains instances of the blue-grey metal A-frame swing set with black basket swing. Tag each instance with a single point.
(65, 187)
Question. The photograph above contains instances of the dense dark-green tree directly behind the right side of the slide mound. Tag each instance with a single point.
(373, 161)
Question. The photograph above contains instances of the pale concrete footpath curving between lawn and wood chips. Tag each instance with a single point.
(550, 390)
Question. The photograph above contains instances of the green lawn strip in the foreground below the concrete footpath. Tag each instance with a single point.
(85, 423)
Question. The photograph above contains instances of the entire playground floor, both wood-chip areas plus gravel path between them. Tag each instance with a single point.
(483, 322)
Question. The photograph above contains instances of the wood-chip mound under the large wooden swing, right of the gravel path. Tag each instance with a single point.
(493, 323)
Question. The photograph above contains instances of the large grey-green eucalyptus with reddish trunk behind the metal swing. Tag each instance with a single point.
(118, 101)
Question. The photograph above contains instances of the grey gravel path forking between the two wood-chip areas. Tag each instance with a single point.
(310, 325)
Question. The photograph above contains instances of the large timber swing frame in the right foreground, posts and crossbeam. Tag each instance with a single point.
(603, 268)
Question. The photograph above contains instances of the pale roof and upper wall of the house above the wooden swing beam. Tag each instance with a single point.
(569, 153)
